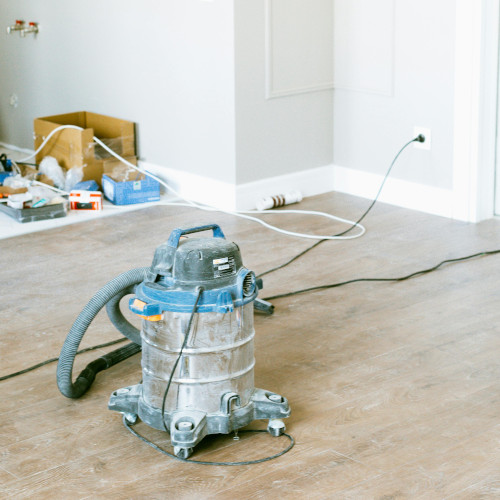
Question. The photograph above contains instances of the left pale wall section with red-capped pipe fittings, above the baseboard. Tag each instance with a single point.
(167, 65)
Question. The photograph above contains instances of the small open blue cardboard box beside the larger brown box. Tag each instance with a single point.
(125, 186)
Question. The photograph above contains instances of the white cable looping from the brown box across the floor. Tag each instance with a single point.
(244, 214)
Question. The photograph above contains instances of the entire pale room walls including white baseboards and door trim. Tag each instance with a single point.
(227, 93)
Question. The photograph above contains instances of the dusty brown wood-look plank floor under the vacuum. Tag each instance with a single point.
(394, 387)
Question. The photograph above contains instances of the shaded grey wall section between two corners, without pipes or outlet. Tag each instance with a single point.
(283, 86)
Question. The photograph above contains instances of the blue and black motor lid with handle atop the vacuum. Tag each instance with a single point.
(181, 265)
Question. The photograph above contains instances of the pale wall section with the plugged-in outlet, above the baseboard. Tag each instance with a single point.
(394, 69)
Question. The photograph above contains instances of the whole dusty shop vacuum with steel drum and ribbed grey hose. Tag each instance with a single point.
(197, 305)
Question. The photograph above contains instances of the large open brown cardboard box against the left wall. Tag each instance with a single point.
(76, 148)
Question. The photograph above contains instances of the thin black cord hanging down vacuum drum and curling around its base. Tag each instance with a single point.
(127, 424)
